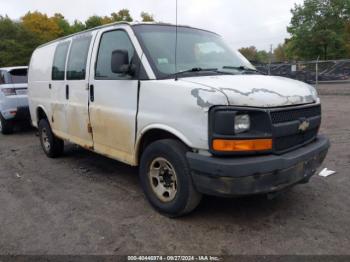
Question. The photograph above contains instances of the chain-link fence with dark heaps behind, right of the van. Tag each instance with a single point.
(312, 72)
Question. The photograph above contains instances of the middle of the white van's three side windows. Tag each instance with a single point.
(76, 68)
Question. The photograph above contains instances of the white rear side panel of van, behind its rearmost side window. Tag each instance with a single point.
(39, 77)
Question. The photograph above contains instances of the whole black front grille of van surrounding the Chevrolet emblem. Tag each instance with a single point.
(285, 119)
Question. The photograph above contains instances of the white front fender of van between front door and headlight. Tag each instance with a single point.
(171, 105)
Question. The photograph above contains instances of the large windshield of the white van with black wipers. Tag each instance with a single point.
(198, 52)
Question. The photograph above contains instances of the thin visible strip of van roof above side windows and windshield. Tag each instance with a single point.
(119, 23)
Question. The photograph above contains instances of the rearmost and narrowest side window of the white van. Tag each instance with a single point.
(59, 61)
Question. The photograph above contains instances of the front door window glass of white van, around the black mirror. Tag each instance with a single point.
(111, 41)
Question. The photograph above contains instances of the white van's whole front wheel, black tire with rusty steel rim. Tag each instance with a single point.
(166, 178)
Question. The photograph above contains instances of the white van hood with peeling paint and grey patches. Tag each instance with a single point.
(258, 90)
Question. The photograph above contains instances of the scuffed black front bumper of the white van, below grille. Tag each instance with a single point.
(259, 174)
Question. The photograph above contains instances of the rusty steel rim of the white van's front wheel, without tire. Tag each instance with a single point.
(163, 179)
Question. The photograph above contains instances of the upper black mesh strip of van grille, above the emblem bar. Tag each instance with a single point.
(295, 114)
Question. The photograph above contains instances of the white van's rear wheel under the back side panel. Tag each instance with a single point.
(53, 147)
